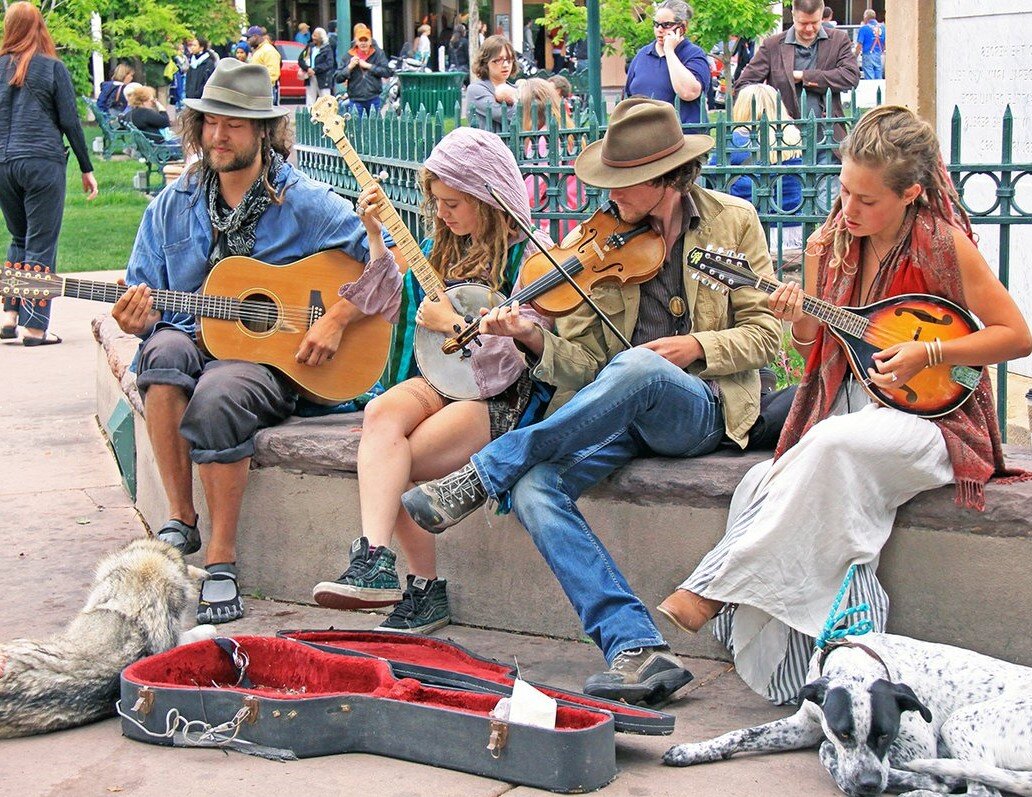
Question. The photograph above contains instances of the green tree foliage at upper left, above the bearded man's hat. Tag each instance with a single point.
(145, 33)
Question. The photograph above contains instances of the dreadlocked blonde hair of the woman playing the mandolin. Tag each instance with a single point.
(893, 138)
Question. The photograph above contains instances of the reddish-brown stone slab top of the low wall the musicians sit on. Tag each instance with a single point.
(329, 445)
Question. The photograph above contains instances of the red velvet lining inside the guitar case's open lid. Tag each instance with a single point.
(428, 652)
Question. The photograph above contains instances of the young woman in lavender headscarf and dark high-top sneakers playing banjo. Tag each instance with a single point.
(412, 433)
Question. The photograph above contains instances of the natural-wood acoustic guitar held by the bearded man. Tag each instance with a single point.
(251, 311)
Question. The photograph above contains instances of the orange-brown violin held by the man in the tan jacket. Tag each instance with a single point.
(602, 249)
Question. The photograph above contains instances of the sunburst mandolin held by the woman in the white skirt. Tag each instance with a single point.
(863, 331)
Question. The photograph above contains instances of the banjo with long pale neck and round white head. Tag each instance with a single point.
(450, 375)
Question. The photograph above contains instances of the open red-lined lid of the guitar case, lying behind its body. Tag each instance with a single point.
(627, 719)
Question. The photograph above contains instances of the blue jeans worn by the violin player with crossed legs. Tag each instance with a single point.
(640, 405)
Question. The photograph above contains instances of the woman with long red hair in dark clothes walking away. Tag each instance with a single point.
(39, 105)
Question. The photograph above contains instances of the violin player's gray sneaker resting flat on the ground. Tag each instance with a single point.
(642, 676)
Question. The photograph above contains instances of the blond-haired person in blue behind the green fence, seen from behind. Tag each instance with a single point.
(752, 105)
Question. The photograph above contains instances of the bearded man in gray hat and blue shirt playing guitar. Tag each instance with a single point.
(241, 199)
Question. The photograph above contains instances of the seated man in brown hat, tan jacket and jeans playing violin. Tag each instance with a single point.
(690, 384)
